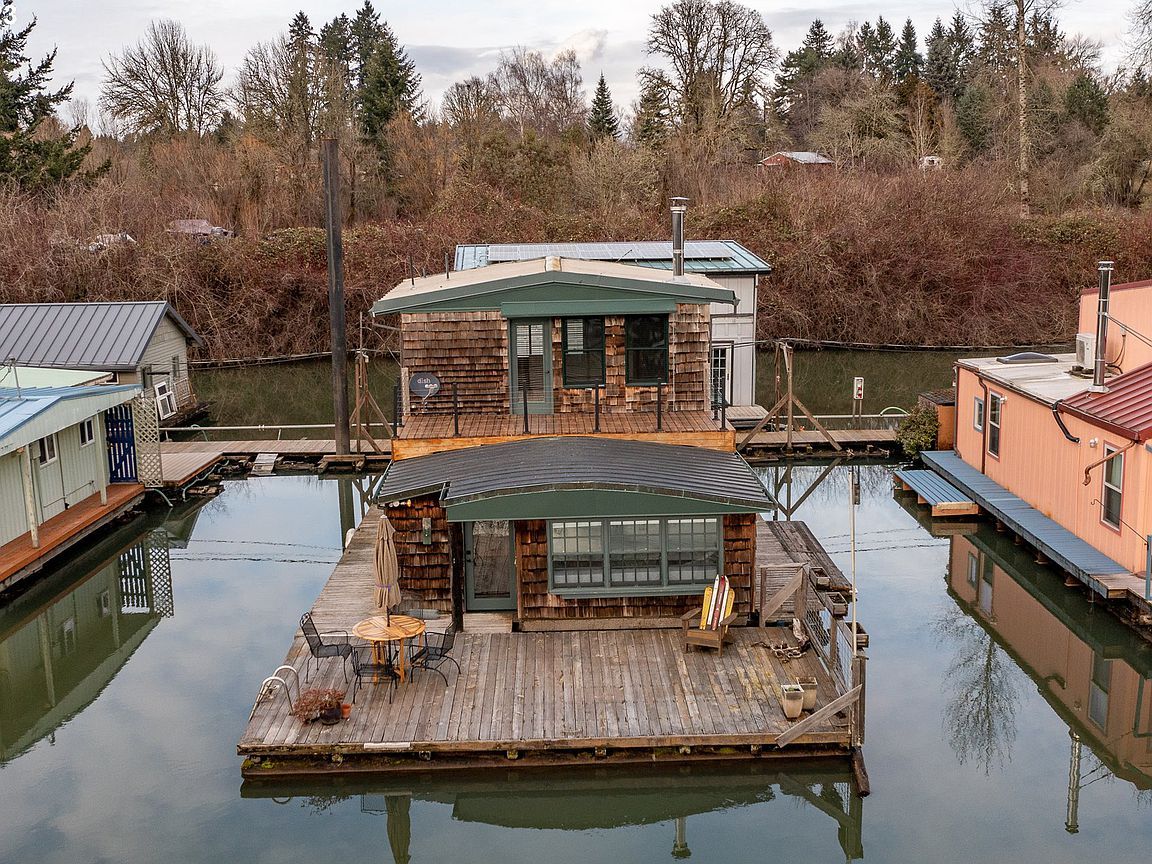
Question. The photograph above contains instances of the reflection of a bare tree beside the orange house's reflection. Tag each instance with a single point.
(984, 687)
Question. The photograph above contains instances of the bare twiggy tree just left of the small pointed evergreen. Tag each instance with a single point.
(536, 94)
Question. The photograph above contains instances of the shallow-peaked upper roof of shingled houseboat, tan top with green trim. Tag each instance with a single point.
(544, 289)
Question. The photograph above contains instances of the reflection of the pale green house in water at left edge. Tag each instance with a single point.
(70, 634)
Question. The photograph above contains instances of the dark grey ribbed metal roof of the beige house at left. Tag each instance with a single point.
(84, 336)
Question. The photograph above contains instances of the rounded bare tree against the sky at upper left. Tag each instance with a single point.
(164, 85)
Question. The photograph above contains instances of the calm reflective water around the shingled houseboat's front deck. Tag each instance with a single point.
(128, 755)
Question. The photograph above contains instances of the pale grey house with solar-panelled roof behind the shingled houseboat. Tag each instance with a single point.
(732, 354)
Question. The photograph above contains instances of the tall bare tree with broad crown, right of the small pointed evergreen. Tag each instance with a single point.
(721, 55)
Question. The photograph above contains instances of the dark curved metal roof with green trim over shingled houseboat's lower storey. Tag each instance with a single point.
(634, 473)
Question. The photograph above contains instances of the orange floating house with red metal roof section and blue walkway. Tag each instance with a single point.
(1057, 448)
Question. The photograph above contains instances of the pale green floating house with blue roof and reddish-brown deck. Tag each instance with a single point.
(67, 468)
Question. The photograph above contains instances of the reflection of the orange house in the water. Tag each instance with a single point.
(1094, 671)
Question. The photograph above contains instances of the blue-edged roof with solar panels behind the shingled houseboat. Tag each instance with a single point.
(701, 256)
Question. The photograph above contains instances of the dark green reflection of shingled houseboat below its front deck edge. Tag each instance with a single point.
(595, 799)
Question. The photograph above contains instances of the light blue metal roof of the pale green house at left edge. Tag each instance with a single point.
(29, 414)
